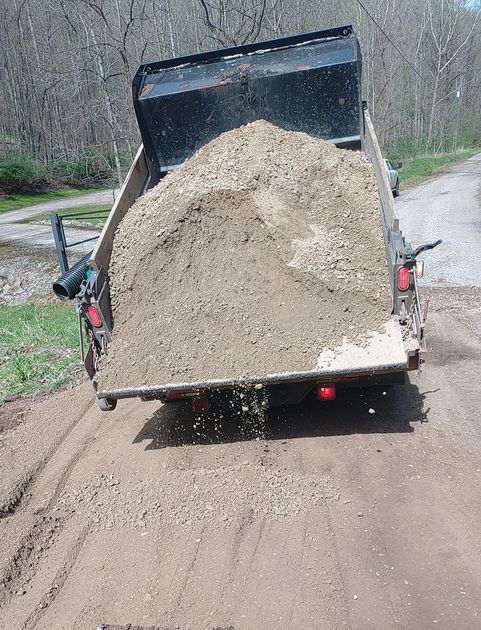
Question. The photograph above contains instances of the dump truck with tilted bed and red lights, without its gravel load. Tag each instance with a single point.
(310, 83)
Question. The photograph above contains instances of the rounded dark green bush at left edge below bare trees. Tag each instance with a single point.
(19, 173)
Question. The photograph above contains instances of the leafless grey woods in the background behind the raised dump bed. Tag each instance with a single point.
(67, 66)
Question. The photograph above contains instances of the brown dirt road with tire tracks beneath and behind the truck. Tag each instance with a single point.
(326, 517)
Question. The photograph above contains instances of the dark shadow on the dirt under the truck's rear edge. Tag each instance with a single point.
(395, 408)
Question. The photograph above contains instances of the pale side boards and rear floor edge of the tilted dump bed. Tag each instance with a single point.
(386, 356)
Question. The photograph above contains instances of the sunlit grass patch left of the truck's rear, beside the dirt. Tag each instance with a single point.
(38, 348)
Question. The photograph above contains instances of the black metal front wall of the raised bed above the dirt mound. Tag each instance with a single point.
(308, 82)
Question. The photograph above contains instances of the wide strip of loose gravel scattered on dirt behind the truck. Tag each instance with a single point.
(184, 497)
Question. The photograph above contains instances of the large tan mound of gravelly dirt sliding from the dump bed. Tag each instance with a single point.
(260, 250)
